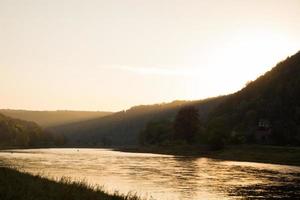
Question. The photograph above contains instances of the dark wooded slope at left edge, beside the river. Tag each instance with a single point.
(19, 133)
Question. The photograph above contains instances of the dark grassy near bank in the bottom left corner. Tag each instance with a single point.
(18, 185)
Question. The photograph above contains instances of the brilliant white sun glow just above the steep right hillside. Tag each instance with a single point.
(243, 57)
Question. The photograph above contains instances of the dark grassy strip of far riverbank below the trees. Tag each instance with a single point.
(248, 153)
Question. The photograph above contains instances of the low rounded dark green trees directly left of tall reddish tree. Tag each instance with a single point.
(157, 133)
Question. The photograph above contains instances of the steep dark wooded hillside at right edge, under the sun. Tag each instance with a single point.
(267, 110)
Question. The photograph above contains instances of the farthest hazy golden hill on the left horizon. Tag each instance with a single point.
(53, 118)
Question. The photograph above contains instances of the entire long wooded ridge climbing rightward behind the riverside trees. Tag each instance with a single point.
(266, 111)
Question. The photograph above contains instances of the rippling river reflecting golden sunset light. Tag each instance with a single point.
(162, 177)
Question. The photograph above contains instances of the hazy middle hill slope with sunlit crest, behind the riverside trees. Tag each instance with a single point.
(122, 128)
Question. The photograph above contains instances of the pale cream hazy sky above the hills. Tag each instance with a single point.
(112, 54)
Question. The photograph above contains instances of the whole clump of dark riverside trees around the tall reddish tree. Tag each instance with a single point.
(185, 129)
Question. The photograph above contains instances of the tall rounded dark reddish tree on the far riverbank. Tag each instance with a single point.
(187, 124)
